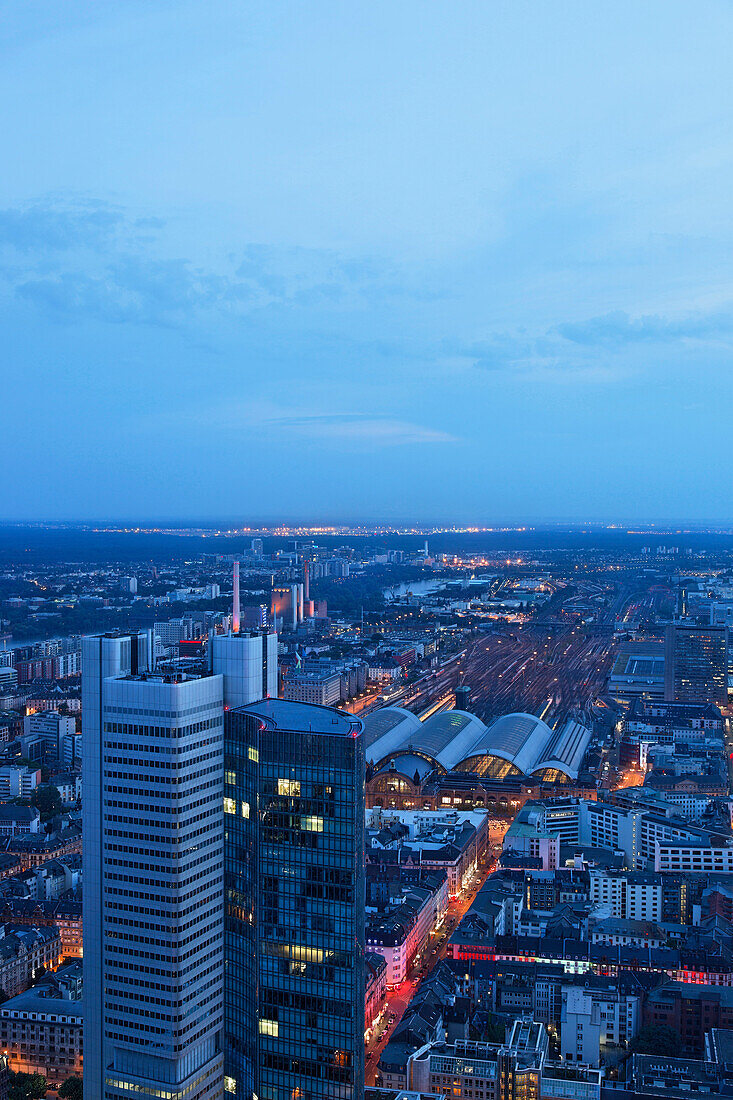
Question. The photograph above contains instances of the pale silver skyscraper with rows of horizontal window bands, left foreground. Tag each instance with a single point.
(154, 860)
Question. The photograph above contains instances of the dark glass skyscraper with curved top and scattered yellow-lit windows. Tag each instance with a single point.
(294, 893)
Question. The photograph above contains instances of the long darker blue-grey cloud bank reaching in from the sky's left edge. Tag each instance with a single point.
(90, 260)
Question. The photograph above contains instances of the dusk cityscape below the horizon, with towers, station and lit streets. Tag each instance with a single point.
(331, 817)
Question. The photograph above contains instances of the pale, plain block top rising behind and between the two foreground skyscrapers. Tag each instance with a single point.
(249, 666)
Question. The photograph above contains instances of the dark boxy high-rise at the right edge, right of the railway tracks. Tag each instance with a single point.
(696, 664)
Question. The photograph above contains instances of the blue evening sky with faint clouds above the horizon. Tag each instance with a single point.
(367, 259)
